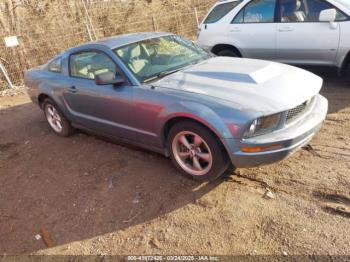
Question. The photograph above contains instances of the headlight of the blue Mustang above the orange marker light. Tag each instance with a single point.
(263, 125)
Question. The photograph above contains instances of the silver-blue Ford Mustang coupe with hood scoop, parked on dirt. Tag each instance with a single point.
(164, 93)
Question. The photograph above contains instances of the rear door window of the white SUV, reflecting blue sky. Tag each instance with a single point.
(257, 11)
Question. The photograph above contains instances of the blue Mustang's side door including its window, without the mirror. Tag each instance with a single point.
(102, 108)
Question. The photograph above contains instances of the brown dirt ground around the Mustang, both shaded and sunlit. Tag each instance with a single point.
(85, 195)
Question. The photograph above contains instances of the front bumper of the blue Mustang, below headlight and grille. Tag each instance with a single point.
(288, 139)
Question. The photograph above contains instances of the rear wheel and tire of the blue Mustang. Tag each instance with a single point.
(56, 120)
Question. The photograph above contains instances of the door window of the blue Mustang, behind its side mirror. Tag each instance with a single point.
(89, 64)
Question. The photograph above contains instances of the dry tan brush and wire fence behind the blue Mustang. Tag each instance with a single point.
(45, 28)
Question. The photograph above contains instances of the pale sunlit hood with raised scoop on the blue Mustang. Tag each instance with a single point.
(262, 86)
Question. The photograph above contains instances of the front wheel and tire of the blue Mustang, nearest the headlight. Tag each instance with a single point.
(202, 157)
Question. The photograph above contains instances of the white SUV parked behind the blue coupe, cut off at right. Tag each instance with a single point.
(303, 32)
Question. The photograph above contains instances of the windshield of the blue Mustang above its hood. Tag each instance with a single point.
(154, 58)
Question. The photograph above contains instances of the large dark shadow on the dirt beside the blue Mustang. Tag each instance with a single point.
(71, 189)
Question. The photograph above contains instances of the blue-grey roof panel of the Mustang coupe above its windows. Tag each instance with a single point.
(126, 39)
